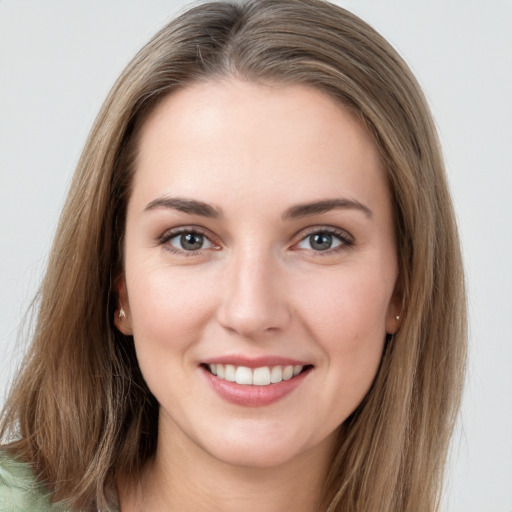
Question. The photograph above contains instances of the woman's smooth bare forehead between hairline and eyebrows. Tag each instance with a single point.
(244, 139)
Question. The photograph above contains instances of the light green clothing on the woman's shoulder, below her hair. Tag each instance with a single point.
(19, 490)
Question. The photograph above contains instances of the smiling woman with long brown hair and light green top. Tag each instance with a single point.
(255, 296)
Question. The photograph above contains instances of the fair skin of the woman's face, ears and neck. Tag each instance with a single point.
(259, 234)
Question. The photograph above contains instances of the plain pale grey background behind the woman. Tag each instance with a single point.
(58, 60)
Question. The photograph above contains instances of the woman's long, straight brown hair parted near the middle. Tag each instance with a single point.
(80, 411)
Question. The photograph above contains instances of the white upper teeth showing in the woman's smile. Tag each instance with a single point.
(262, 376)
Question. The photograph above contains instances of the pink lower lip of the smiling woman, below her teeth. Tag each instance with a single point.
(253, 396)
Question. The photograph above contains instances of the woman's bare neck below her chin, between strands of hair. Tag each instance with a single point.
(184, 477)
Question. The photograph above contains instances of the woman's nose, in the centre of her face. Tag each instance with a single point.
(253, 302)
